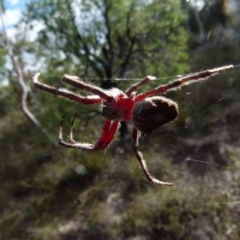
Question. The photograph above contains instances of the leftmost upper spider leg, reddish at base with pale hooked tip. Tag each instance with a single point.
(66, 93)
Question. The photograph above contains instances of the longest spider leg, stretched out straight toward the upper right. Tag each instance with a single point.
(183, 81)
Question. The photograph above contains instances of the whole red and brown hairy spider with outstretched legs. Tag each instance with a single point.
(146, 111)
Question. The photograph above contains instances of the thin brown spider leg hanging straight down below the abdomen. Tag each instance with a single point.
(142, 163)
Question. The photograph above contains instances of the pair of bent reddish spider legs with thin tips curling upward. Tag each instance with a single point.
(104, 140)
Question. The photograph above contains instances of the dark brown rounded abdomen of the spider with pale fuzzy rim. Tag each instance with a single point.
(153, 112)
